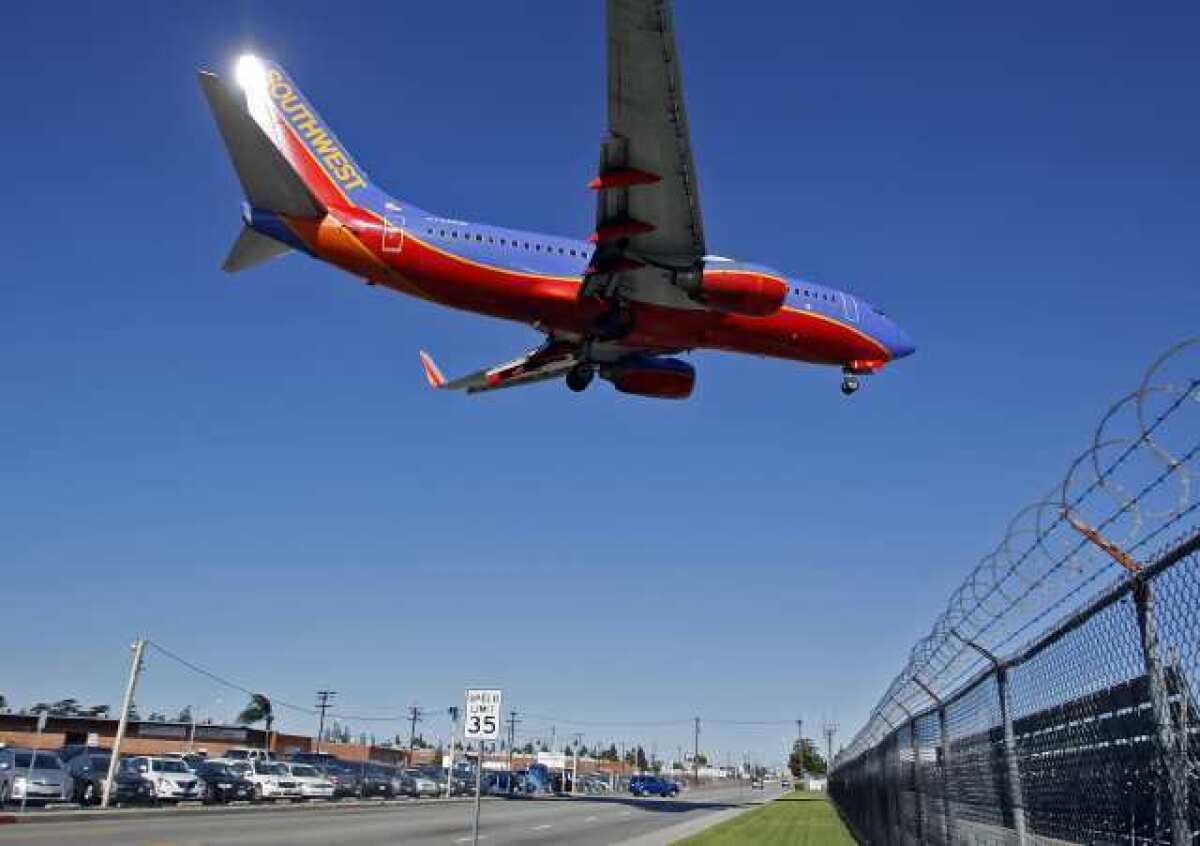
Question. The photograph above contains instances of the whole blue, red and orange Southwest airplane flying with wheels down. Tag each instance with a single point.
(641, 290)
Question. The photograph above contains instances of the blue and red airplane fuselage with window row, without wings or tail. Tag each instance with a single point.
(536, 279)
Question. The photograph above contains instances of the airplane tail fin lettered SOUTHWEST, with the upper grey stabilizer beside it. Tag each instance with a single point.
(267, 100)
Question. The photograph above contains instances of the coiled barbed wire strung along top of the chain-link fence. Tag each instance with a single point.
(1133, 485)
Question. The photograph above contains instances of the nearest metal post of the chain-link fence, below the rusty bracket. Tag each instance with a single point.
(1171, 751)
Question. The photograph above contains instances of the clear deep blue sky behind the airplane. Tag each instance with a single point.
(254, 472)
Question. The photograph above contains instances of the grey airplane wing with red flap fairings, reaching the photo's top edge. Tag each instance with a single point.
(649, 221)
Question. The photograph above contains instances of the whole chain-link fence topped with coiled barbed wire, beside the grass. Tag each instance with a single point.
(1090, 731)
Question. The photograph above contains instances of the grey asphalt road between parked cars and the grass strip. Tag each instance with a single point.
(584, 821)
